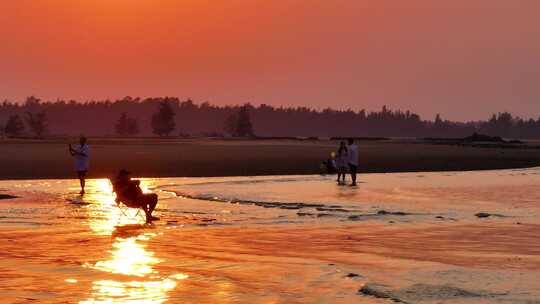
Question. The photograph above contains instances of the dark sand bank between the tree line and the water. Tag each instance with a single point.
(26, 159)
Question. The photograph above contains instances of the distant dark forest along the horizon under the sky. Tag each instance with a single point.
(112, 118)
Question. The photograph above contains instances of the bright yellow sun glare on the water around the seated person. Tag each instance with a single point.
(129, 257)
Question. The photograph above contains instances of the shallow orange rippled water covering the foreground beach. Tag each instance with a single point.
(412, 237)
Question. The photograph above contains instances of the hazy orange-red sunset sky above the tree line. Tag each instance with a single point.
(463, 58)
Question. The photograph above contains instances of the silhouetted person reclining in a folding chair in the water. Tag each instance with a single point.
(129, 192)
